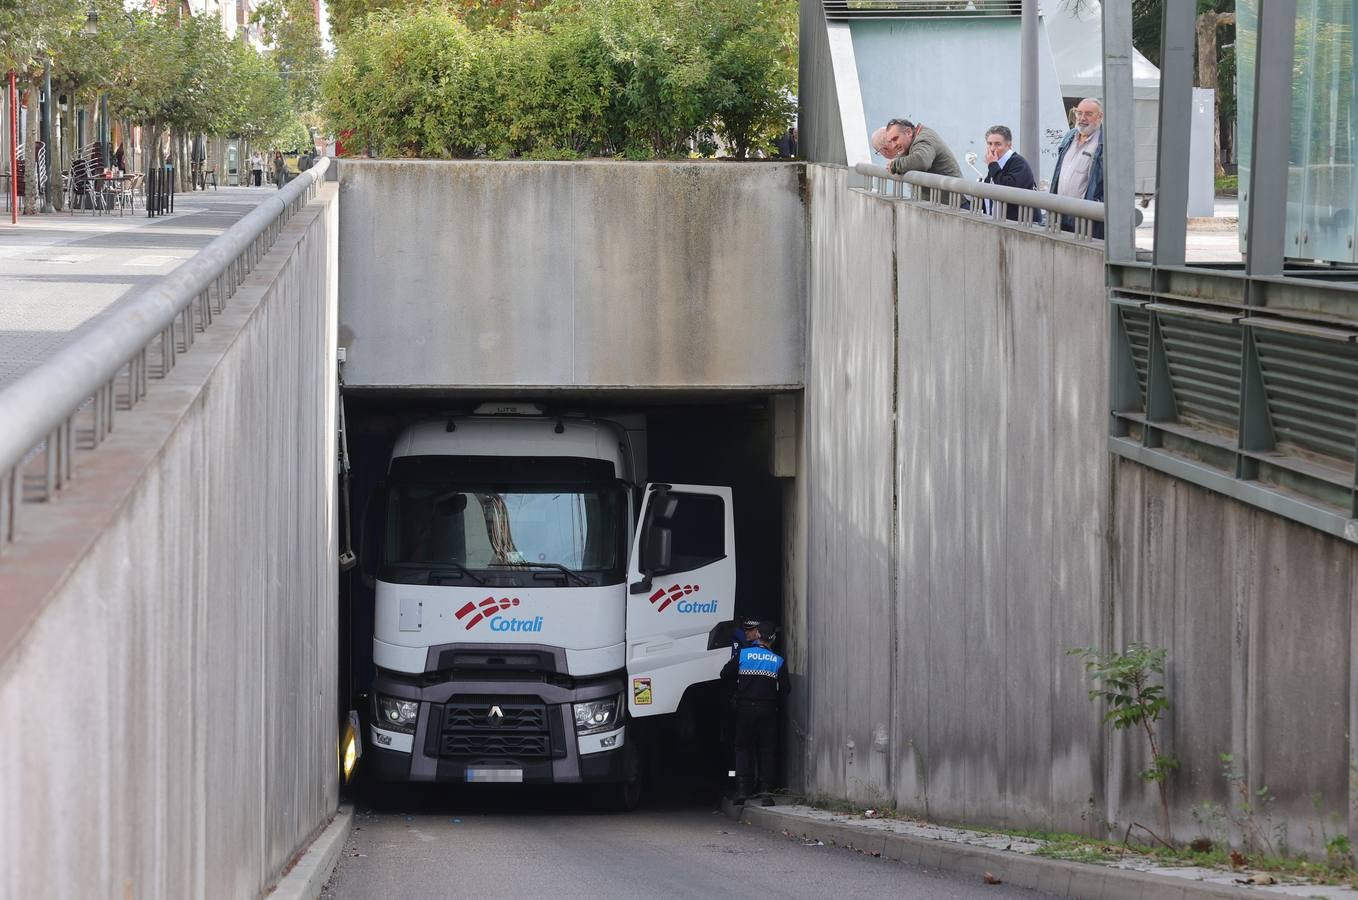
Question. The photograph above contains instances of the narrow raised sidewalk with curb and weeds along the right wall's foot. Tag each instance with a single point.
(1016, 861)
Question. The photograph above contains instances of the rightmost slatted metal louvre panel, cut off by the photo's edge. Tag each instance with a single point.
(1313, 390)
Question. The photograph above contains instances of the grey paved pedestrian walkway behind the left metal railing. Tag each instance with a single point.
(59, 272)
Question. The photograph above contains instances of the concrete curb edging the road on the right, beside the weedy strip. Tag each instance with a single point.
(1083, 882)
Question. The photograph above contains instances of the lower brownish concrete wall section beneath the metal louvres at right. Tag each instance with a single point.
(1258, 614)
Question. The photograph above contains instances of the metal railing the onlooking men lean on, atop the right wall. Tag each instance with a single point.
(1064, 215)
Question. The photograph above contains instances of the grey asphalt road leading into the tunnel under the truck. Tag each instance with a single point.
(446, 845)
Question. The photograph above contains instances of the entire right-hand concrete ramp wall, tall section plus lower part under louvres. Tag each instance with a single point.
(965, 526)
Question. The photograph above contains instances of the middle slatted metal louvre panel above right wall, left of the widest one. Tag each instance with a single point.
(1204, 369)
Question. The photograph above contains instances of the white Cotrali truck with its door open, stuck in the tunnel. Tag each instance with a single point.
(538, 613)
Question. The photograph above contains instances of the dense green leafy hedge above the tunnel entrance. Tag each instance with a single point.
(601, 78)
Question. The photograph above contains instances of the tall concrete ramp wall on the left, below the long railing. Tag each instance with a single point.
(170, 705)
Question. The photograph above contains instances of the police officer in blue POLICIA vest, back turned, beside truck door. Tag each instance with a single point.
(761, 682)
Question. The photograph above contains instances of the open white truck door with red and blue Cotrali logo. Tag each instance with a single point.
(681, 588)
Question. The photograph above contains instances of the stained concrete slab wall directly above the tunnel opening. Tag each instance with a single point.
(590, 275)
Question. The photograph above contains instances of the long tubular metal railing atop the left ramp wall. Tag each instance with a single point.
(109, 367)
